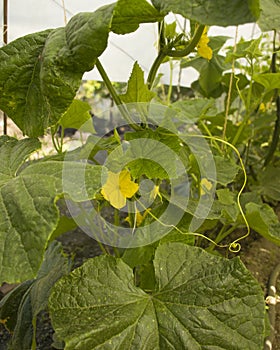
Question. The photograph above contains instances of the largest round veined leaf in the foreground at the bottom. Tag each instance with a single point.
(201, 302)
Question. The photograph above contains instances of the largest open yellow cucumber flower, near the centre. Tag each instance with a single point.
(118, 187)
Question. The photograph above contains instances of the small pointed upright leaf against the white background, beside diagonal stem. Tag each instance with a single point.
(137, 90)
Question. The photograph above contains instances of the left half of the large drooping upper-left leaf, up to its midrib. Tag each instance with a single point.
(20, 65)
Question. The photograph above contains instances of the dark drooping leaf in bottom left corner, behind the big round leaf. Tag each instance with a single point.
(22, 305)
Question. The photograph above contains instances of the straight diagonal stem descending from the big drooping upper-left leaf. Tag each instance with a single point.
(115, 96)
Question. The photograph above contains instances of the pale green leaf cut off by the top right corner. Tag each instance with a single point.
(270, 15)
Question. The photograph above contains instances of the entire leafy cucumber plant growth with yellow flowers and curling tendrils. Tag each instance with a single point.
(181, 182)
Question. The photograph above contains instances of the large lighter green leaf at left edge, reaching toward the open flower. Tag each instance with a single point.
(27, 206)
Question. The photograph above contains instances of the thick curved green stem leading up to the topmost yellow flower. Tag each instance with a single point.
(168, 51)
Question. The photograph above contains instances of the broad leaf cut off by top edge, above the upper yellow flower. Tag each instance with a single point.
(220, 12)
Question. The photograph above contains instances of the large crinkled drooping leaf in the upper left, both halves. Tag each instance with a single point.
(40, 73)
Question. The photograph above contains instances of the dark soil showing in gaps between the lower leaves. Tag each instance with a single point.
(259, 256)
